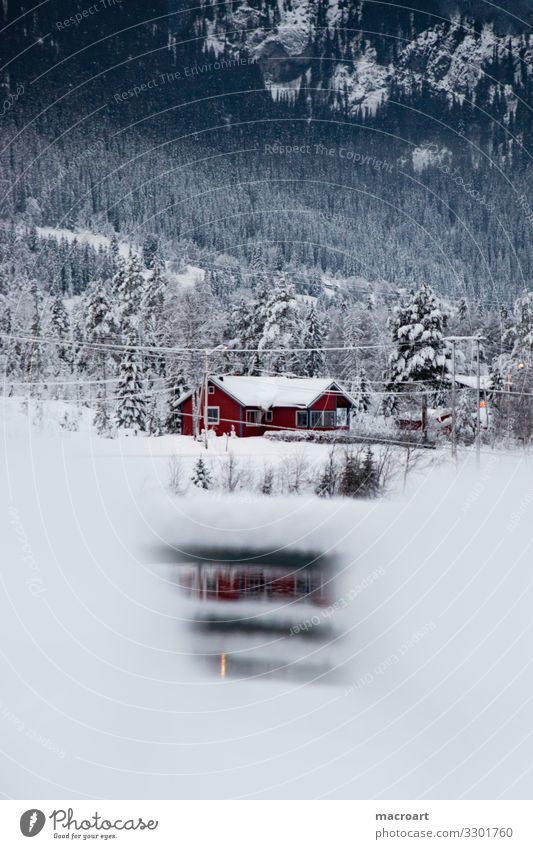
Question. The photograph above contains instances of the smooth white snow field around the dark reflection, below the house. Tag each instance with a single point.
(102, 696)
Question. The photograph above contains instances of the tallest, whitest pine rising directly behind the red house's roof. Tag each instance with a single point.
(282, 327)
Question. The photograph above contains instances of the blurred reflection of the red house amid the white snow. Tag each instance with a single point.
(255, 618)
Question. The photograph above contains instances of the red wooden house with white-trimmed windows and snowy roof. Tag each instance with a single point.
(253, 405)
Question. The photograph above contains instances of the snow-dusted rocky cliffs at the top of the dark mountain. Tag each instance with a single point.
(449, 57)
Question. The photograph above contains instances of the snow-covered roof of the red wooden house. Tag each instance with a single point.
(266, 392)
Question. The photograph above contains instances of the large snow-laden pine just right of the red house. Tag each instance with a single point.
(417, 329)
